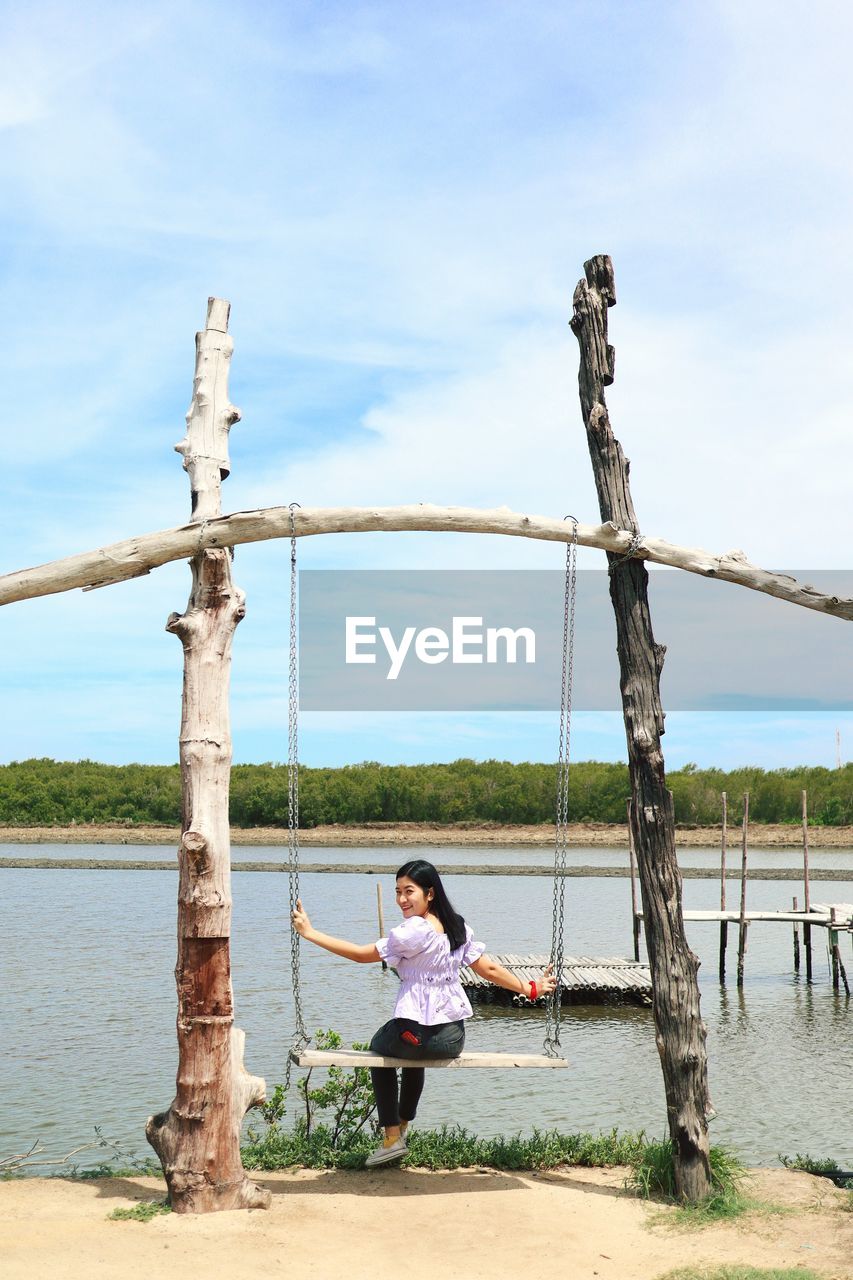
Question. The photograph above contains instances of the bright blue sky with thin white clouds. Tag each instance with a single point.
(398, 200)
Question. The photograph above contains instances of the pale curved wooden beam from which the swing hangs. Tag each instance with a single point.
(138, 556)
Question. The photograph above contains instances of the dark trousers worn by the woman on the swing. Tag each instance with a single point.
(446, 1040)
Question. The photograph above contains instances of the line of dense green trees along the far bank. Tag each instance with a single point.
(52, 793)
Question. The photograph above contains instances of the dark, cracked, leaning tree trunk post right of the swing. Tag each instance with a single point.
(681, 1031)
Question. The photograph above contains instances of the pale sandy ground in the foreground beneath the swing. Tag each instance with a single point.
(473, 1224)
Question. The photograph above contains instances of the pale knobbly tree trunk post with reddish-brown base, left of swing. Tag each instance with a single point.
(198, 1139)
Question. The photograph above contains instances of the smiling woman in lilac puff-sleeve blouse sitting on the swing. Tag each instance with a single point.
(427, 950)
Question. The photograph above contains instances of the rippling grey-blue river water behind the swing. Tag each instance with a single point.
(89, 1009)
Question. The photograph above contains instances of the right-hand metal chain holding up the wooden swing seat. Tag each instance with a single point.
(554, 1004)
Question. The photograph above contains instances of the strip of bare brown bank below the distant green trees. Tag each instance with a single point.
(402, 835)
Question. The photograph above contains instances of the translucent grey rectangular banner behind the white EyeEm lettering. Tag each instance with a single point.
(492, 641)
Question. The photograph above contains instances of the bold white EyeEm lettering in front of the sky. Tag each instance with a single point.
(468, 643)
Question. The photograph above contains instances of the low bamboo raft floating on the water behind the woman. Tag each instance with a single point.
(586, 981)
